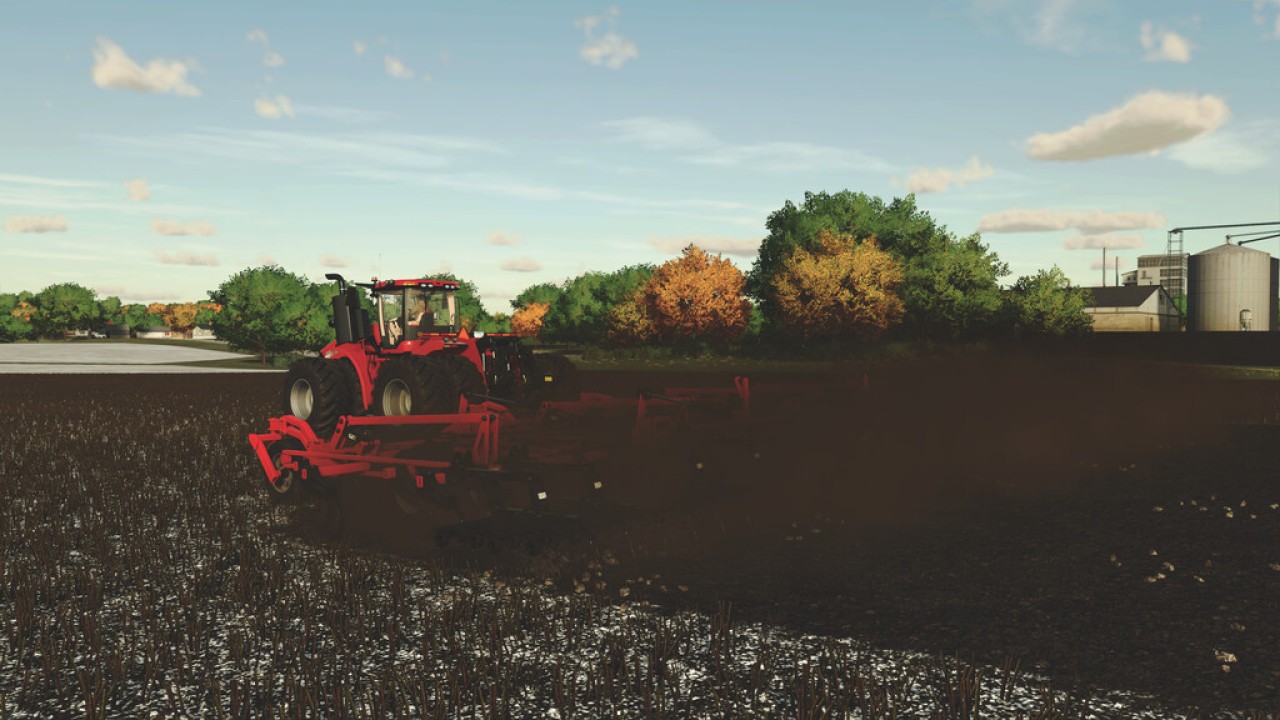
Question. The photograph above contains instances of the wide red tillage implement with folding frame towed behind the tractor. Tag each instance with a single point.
(495, 455)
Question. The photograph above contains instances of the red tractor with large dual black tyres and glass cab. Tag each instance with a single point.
(414, 358)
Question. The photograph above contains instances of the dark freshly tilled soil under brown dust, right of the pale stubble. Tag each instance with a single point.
(995, 509)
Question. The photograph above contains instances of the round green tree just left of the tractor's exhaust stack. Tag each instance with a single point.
(269, 311)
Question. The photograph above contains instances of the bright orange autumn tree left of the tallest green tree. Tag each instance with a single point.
(696, 297)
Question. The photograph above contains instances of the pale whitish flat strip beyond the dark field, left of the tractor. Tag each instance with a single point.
(97, 357)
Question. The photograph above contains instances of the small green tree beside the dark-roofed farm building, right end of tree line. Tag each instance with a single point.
(1046, 304)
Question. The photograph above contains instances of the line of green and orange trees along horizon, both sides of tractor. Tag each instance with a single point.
(838, 268)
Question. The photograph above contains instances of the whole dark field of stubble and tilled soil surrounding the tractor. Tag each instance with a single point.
(1011, 537)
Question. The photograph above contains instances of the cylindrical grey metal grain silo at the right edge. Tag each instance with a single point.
(1232, 289)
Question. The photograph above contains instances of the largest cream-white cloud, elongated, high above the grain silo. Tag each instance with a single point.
(1149, 122)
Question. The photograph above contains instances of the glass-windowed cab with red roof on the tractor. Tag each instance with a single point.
(417, 308)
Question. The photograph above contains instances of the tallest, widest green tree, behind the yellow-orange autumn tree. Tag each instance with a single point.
(952, 285)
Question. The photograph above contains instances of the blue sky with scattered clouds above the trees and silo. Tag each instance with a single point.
(150, 151)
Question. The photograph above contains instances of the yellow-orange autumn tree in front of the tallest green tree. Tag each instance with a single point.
(840, 289)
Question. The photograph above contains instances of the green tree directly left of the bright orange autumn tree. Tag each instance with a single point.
(582, 313)
